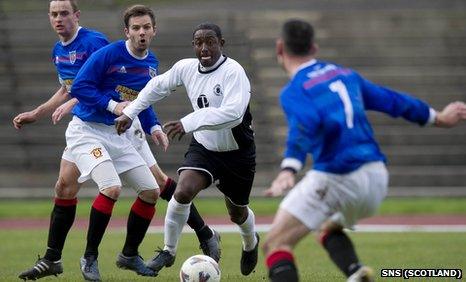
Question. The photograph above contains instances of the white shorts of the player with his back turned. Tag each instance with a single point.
(341, 198)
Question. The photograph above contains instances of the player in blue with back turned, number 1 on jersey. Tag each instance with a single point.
(325, 108)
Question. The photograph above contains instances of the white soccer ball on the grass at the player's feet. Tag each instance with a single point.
(200, 268)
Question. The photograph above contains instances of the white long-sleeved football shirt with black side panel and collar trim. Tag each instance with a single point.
(219, 96)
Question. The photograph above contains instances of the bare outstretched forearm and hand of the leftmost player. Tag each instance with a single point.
(60, 96)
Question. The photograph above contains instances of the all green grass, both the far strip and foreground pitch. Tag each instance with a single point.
(19, 248)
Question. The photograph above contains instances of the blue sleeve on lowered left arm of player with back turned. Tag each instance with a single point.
(302, 124)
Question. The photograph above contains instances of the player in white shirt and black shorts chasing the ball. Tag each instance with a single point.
(222, 147)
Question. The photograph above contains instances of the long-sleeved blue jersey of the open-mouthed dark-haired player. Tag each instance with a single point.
(113, 73)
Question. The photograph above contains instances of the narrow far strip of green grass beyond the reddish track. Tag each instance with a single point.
(216, 207)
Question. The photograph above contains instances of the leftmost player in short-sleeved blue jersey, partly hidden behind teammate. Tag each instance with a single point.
(75, 46)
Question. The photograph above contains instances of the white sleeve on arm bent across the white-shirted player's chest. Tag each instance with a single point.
(237, 93)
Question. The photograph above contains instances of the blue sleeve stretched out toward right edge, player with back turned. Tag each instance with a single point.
(393, 103)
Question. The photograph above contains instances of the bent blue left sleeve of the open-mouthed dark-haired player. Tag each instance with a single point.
(85, 85)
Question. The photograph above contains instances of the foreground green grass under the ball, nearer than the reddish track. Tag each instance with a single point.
(380, 250)
